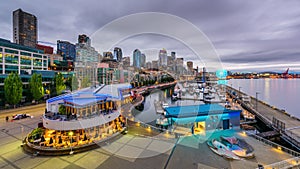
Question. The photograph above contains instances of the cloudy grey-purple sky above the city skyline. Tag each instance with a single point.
(246, 35)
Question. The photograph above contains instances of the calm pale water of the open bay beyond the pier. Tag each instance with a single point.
(282, 93)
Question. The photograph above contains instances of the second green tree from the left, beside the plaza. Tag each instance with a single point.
(36, 86)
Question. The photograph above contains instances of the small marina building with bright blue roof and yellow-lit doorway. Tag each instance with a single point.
(204, 117)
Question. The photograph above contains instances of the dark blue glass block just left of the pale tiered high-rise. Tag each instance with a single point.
(67, 50)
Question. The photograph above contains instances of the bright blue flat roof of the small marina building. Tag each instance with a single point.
(197, 110)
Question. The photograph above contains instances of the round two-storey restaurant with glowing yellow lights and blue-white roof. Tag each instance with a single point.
(82, 118)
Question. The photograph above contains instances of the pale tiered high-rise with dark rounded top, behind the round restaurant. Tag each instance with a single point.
(86, 60)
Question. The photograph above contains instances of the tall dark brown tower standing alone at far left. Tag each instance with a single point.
(24, 28)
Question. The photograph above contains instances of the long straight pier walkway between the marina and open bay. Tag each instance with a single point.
(284, 123)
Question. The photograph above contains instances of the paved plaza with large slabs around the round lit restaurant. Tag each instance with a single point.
(137, 149)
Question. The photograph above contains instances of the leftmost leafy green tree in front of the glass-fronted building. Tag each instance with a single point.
(13, 89)
